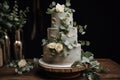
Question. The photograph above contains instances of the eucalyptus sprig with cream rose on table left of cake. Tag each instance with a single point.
(22, 66)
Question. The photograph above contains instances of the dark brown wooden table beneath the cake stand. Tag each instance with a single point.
(112, 72)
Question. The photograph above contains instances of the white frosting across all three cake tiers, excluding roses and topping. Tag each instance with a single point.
(62, 20)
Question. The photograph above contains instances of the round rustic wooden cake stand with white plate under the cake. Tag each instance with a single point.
(61, 71)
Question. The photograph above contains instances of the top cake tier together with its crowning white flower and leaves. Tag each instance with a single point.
(61, 16)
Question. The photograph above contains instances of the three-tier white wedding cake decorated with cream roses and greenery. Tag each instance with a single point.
(61, 46)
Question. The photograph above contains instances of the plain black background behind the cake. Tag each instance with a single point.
(101, 16)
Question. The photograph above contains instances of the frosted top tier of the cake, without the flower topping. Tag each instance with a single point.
(63, 19)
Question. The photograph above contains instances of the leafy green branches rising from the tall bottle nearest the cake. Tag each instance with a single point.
(18, 17)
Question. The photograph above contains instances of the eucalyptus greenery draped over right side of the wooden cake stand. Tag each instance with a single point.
(87, 58)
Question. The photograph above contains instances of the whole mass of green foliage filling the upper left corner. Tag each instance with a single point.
(11, 18)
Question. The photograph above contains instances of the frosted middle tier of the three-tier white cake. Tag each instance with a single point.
(70, 37)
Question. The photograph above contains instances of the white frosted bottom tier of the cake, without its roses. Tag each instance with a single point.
(71, 56)
